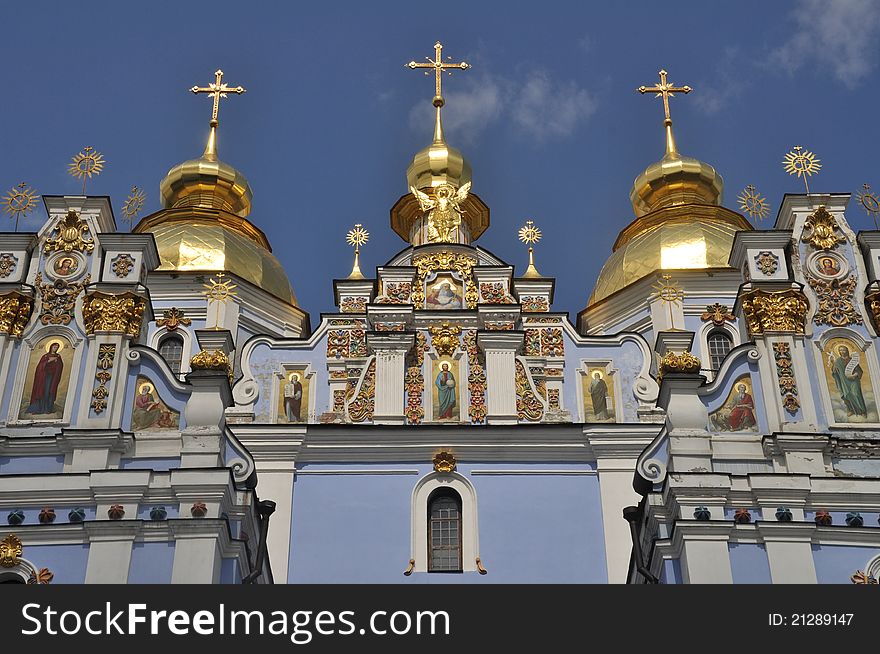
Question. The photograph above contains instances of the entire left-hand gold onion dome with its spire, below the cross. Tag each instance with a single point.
(203, 226)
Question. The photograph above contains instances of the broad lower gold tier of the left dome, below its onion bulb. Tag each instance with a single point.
(210, 240)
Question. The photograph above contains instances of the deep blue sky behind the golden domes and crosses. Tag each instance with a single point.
(548, 116)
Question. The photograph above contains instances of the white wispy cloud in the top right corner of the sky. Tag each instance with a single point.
(837, 34)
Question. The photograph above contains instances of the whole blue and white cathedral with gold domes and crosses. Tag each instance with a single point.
(169, 414)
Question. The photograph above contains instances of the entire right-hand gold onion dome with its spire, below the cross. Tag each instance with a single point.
(679, 223)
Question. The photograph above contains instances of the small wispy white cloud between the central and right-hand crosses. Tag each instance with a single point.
(547, 109)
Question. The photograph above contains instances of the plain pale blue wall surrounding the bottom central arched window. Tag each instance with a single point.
(356, 528)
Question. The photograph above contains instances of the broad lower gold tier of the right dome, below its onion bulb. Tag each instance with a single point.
(693, 236)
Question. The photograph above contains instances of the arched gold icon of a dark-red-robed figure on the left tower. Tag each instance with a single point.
(48, 372)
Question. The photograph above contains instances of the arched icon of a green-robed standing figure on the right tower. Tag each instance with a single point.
(849, 383)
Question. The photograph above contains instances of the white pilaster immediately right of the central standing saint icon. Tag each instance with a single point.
(501, 348)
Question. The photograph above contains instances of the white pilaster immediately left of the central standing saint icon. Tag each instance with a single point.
(390, 349)
